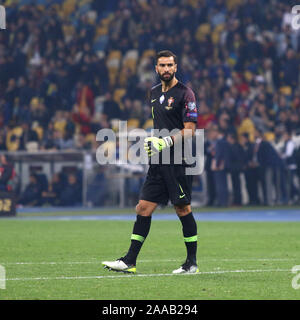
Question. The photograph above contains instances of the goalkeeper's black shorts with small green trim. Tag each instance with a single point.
(167, 182)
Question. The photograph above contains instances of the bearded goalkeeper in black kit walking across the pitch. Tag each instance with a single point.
(173, 107)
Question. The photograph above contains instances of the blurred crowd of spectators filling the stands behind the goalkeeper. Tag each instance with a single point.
(69, 68)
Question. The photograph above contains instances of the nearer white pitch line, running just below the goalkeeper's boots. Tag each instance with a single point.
(145, 275)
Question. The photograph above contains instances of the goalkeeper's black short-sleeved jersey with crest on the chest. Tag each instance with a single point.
(172, 108)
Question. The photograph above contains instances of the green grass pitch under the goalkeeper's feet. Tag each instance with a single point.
(62, 260)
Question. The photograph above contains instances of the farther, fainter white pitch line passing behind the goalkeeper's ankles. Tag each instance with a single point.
(147, 261)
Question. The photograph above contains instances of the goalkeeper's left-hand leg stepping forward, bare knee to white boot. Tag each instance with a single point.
(144, 210)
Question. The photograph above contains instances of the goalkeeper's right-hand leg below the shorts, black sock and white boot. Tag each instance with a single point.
(189, 230)
